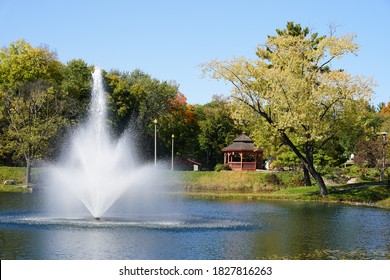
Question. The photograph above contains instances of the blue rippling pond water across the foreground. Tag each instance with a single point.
(195, 229)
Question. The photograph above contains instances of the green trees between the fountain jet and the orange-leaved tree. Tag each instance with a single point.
(136, 99)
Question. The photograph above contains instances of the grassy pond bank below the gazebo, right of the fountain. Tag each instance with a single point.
(278, 186)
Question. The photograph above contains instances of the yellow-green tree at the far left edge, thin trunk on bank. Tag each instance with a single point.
(30, 100)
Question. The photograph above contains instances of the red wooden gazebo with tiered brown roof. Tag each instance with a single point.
(243, 155)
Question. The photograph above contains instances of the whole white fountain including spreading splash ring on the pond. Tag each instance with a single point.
(103, 174)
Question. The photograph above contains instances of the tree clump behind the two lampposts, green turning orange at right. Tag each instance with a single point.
(136, 100)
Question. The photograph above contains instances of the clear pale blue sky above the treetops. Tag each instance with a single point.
(170, 39)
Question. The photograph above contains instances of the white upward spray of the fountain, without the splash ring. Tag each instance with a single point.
(96, 168)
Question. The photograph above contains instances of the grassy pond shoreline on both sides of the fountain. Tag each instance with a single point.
(245, 186)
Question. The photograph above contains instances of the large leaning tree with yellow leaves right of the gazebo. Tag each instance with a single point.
(290, 85)
